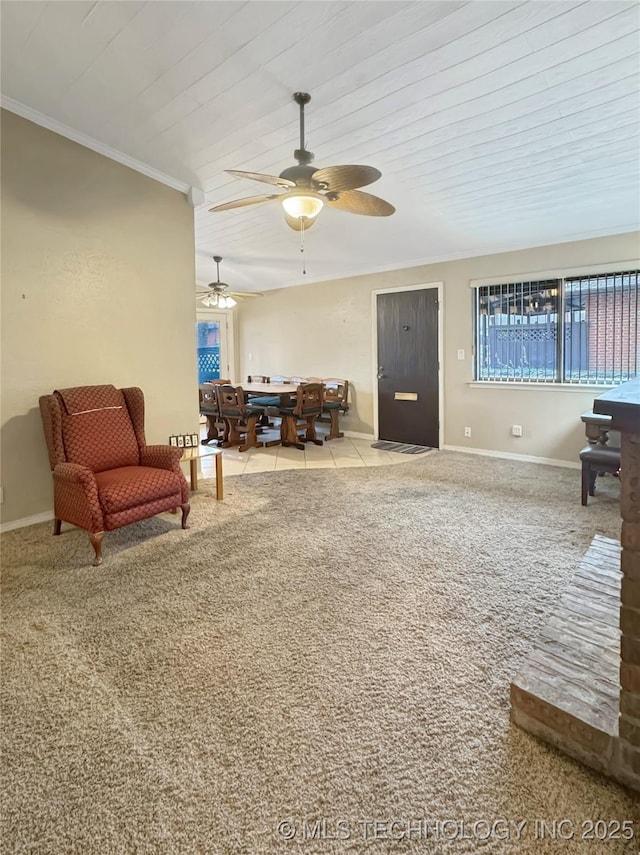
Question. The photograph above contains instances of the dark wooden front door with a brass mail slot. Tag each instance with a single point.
(408, 366)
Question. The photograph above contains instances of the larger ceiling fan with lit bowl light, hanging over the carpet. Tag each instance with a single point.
(308, 189)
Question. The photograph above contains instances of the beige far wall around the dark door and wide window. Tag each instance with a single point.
(325, 329)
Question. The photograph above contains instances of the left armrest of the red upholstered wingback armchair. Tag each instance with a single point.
(76, 496)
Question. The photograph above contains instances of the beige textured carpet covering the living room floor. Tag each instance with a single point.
(331, 645)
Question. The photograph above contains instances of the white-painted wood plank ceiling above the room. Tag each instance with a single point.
(495, 125)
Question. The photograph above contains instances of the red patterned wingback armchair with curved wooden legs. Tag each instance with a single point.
(105, 476)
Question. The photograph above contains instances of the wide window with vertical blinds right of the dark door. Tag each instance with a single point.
(577, 329)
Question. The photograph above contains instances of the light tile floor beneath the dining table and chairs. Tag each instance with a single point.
(336, 454)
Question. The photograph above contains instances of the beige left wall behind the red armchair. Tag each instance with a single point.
(98, 271)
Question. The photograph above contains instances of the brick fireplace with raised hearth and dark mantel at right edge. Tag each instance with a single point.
(580, 687)
